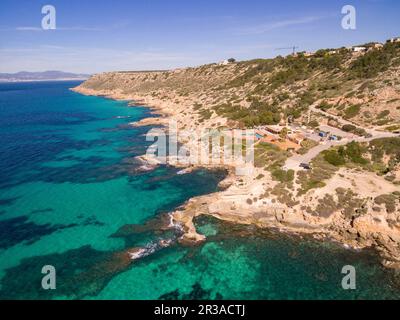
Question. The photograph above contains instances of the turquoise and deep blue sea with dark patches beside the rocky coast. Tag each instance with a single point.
(72, 196)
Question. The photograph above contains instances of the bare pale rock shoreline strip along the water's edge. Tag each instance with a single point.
(243, 199)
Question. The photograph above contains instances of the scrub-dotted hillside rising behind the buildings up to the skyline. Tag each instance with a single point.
(363, 88)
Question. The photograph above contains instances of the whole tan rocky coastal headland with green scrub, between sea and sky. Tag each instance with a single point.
(351, 191)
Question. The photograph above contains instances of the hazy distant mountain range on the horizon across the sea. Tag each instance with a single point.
(41, 76)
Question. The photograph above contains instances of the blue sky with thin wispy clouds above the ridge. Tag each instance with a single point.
(98, 35)
